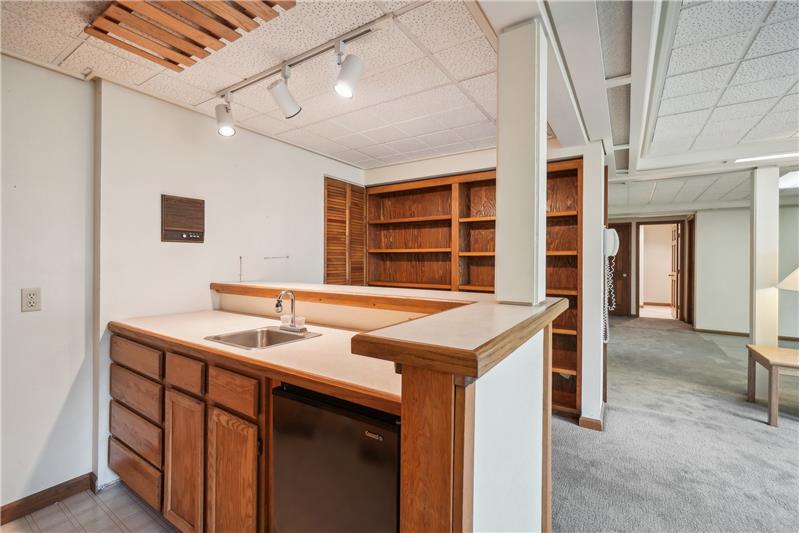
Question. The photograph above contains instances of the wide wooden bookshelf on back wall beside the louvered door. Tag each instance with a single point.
(435, 233)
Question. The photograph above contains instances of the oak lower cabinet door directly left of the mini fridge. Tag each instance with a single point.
(231, 473)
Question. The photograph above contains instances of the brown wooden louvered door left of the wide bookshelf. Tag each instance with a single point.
(344, 233)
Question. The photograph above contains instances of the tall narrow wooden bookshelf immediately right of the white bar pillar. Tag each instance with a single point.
(564, 257)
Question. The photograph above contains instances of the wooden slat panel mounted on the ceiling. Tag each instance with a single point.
(177, 34)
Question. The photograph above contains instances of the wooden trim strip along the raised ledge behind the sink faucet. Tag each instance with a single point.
(389, 303)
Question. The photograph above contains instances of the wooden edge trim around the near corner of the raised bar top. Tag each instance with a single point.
(473, 363)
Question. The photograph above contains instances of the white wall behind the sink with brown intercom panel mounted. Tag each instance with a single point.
(263, 198)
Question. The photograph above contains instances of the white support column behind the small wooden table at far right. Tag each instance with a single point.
(764, 257)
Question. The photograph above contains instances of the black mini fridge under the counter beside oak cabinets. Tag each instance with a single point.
(336, 465)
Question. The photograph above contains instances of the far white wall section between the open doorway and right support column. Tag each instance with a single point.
(722, 270)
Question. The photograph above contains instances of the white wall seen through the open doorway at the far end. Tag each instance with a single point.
(657, 263)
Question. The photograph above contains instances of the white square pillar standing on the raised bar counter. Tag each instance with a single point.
(521, 164)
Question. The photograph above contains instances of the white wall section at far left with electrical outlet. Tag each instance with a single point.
(47, 242)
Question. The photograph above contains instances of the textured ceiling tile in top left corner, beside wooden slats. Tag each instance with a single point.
(67, 18)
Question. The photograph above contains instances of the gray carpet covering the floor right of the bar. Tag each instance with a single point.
(682, 451)
